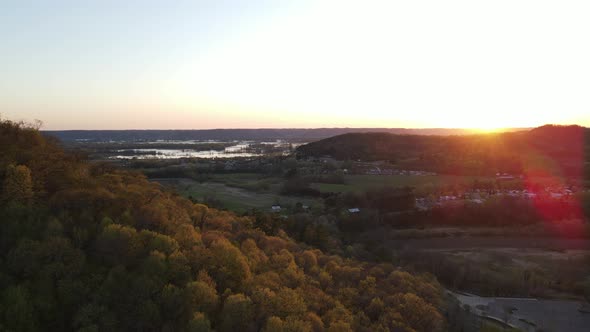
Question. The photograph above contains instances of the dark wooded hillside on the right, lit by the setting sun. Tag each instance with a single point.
(564, 150)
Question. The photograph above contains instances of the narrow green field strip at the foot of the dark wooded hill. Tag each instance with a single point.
(360, 183)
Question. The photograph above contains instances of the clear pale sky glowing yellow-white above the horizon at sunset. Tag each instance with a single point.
(295, 64)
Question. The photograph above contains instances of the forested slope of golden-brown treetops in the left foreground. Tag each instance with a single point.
(89, 247)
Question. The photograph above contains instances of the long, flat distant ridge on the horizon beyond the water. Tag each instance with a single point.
(302, 135)
